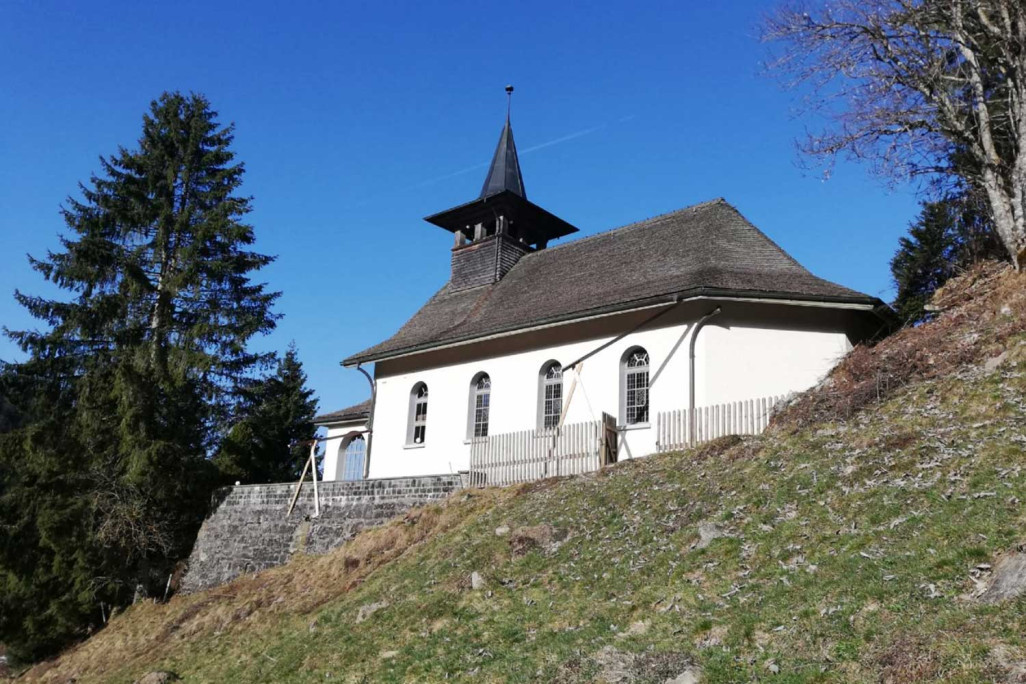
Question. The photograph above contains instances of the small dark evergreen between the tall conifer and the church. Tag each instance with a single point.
(279, 413)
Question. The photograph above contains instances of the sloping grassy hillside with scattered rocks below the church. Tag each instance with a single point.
(848, 544)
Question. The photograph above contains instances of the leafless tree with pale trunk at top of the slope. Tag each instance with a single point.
(920, 88)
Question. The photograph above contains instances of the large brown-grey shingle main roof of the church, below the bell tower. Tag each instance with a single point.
(708, 249)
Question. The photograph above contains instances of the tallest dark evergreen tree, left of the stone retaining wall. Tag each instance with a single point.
(127, 389)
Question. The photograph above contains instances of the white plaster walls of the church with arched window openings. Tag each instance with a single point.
(751, 350)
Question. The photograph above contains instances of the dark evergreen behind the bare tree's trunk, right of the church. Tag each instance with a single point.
(949, 236)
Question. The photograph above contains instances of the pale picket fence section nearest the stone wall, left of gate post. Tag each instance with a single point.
(531, 455)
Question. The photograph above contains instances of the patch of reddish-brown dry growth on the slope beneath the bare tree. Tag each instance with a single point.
(980, 311)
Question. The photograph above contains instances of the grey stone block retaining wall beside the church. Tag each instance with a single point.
(248, 532)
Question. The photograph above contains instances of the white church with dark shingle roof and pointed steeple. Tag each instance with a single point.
(673, 329)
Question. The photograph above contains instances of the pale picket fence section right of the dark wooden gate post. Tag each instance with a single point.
(739, 418)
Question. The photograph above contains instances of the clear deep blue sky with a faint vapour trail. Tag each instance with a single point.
(356, 120)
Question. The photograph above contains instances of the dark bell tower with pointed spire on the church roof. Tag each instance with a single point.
(493, 232)
